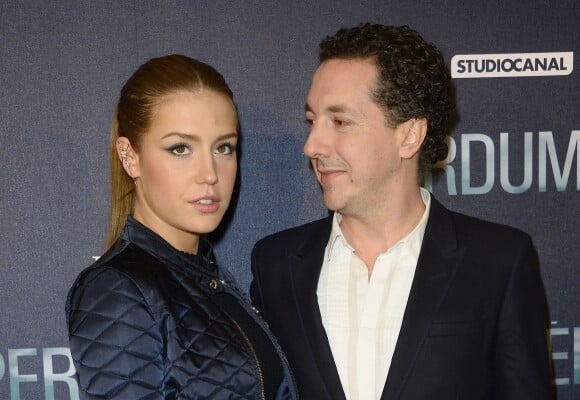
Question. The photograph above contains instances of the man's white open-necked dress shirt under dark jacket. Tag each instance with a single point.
(362, 317)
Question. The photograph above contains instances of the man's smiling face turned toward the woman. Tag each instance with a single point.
(354, 153)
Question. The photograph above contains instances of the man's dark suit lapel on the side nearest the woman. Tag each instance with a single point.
(305, 265)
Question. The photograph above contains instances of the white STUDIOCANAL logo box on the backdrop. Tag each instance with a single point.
(511, 65)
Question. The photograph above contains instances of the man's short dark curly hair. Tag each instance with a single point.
(413, 80)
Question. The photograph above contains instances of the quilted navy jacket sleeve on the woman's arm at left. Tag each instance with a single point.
(114, 338)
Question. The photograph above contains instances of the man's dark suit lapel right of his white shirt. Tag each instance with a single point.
(435, 268)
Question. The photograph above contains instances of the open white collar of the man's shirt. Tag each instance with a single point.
(414, 238)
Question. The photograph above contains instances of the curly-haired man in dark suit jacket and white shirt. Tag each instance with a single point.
(394, 296)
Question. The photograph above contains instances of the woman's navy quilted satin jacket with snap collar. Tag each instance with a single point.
(142, 326)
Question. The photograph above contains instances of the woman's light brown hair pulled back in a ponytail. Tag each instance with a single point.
(145, 89)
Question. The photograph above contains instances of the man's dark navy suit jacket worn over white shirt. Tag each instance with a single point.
(474, 326)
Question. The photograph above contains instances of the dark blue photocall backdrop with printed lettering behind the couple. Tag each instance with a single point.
(514, 156)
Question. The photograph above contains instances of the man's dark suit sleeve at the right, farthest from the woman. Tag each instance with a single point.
(521, 352)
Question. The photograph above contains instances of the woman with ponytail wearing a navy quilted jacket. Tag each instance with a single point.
(154, 317)
